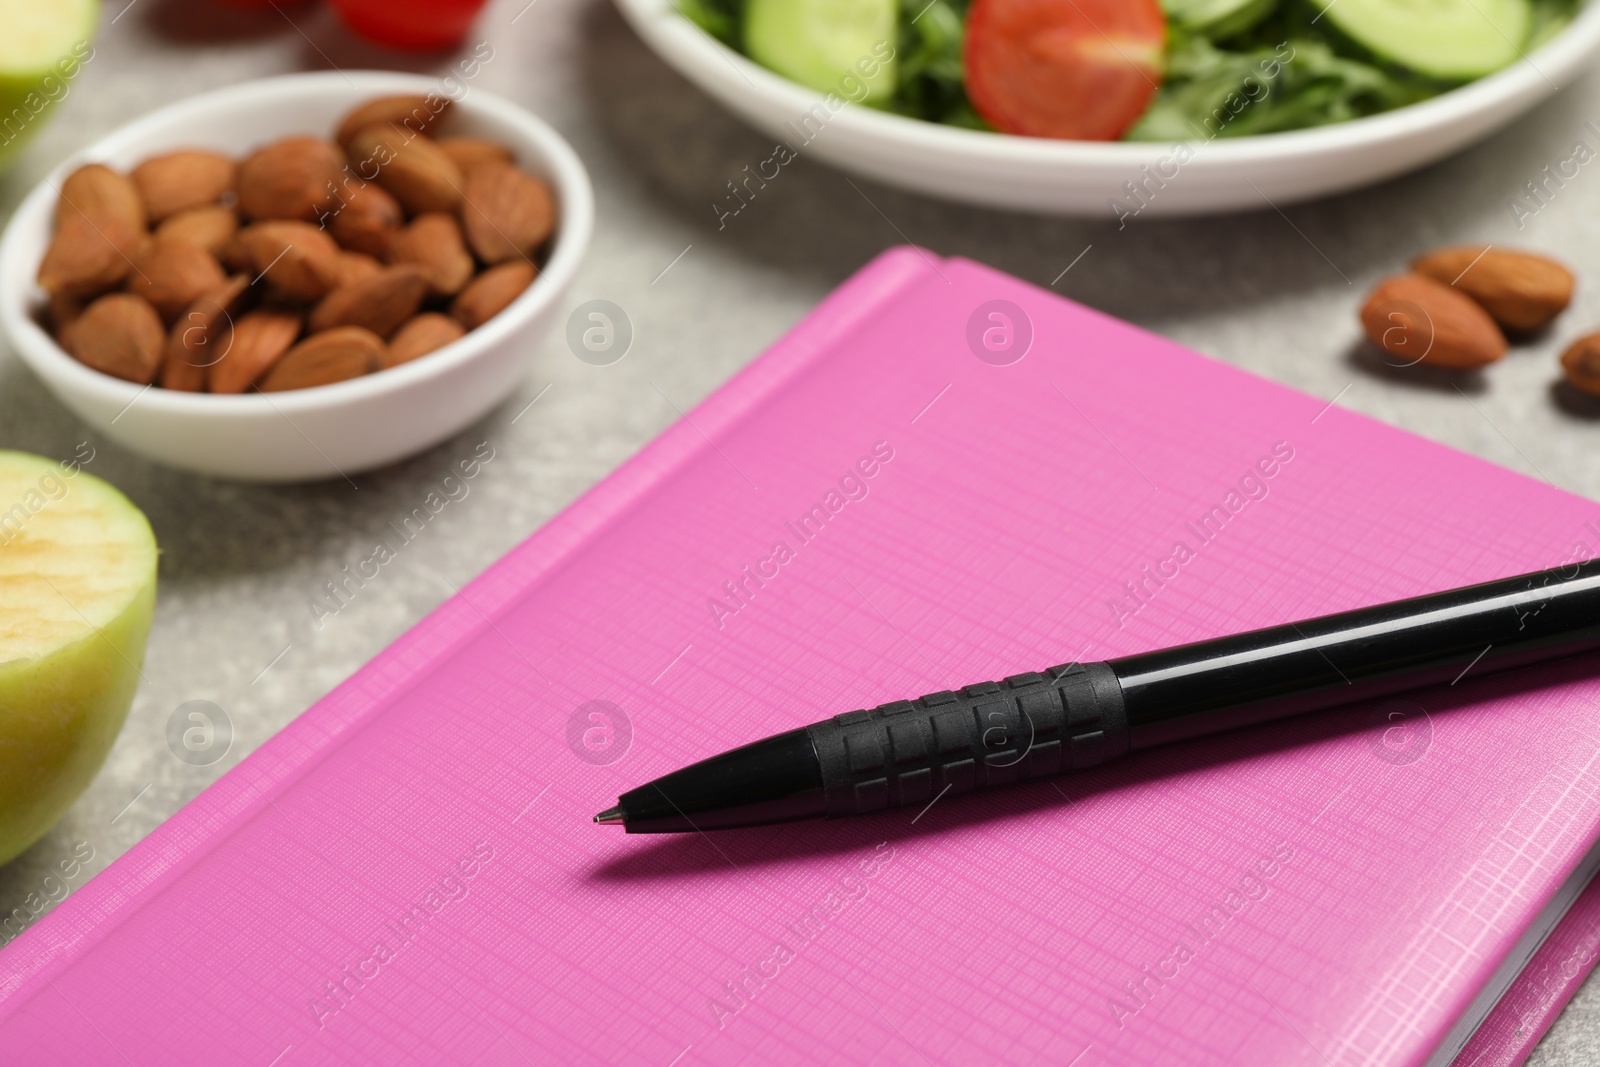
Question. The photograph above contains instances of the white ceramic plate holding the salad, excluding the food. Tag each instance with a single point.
(1084, 177)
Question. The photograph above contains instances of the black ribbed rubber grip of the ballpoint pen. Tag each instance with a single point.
(993, 733)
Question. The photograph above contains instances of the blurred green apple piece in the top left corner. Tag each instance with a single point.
(42, 47)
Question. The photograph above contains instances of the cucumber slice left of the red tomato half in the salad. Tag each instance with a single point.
(844, 47)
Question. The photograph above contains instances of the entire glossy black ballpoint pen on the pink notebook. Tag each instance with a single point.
(1081, 716)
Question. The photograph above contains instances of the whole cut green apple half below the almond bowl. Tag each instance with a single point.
(78, 591)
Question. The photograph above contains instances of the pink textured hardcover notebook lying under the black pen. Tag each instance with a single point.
(942, 476)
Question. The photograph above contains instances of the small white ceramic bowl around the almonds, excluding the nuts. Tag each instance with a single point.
(334, 430)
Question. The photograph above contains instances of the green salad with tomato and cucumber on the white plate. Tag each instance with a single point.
(1134, 70)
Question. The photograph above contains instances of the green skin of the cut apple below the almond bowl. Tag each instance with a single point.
(60, 713)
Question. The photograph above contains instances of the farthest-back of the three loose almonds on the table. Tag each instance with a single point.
(1521, 290)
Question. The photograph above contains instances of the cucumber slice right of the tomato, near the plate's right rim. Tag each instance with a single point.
(1446, 39)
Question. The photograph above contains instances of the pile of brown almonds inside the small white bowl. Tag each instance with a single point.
(308, 263)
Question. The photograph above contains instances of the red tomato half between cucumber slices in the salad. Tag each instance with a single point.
(1073, 70)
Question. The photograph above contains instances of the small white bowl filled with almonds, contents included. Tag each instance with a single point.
(300, 278)
